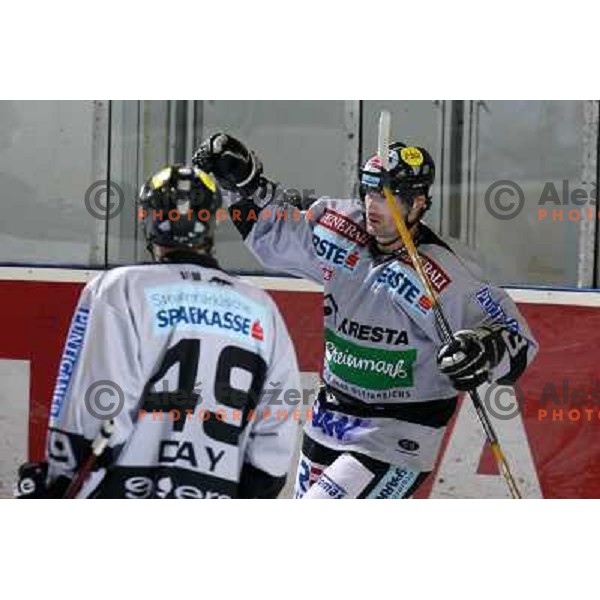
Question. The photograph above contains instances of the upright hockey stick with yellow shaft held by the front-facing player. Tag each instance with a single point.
(443, 327)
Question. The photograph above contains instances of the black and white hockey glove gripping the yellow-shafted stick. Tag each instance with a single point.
(470, 357)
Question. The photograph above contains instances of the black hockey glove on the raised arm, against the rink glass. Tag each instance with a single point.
(236, 168)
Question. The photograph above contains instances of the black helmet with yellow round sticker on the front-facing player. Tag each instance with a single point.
(410, 172)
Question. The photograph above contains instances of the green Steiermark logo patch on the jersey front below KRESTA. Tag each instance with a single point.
(368, 367)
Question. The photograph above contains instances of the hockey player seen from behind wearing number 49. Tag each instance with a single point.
(175, 354)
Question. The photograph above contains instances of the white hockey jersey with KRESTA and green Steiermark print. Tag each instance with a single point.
(386, 397)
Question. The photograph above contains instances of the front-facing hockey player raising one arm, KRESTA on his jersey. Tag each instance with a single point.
(389, 389)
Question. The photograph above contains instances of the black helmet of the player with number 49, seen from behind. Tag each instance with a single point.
(178, 205)
